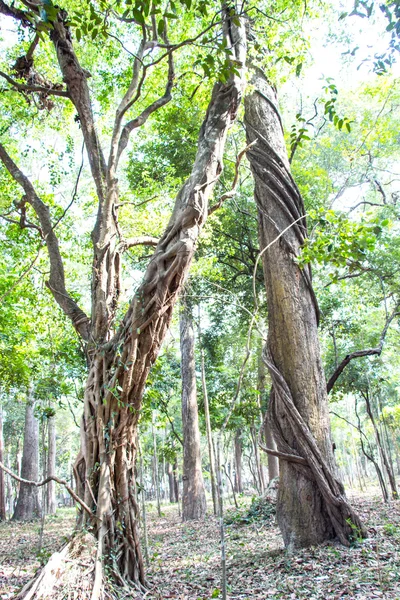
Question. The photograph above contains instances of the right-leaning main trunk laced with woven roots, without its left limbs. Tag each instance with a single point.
(119, 367)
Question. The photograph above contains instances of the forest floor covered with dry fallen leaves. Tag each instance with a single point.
(184, 558)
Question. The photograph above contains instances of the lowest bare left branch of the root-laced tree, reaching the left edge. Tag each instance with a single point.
(56, 281)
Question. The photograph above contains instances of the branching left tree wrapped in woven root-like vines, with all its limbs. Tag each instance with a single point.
(120, 356)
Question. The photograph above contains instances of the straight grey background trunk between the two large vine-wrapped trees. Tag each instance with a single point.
(194, 504)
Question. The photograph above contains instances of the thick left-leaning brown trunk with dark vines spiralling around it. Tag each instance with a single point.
(311, 502)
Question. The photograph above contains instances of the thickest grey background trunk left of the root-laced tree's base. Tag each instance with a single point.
(27, 507)
